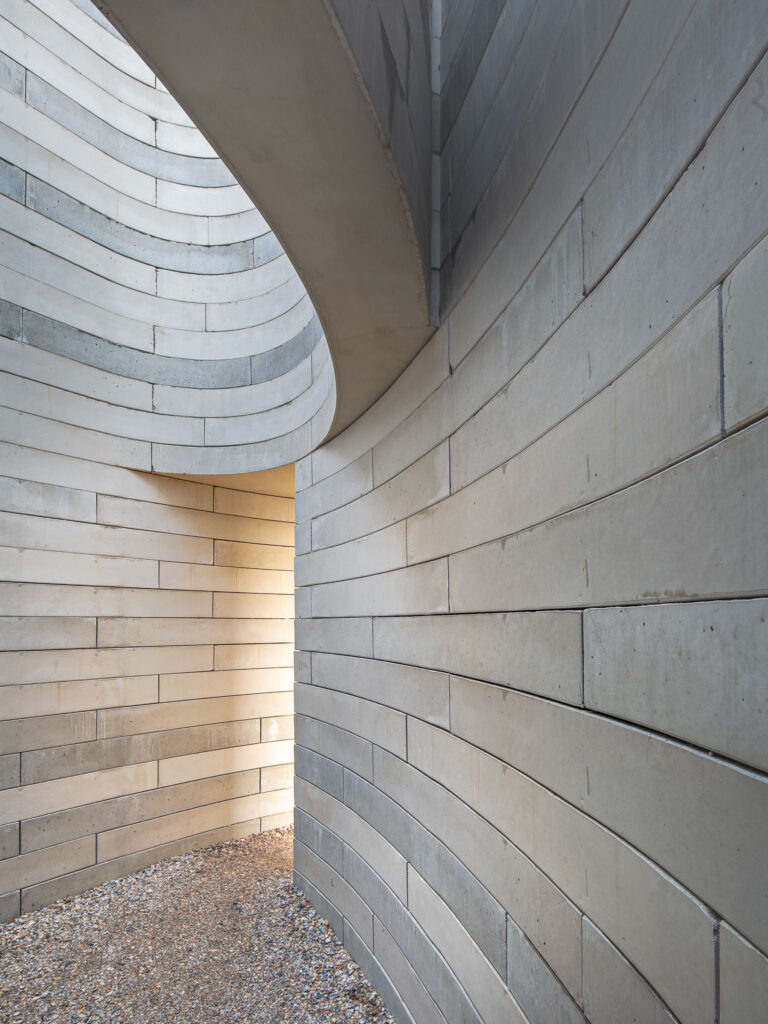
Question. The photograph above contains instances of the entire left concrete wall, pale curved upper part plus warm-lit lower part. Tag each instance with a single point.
(149, 319)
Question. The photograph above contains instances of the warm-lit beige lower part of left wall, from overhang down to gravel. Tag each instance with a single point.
(146, 679)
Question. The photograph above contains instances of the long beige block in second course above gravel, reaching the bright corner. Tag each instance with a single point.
(119, 842)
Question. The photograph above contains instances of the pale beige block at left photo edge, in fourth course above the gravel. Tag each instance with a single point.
(46, 798)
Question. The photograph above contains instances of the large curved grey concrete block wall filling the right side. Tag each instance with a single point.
(532, 714)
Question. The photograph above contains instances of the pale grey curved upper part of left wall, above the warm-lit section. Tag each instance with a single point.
(147, 307)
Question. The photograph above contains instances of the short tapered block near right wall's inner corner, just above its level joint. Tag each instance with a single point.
(416, 590)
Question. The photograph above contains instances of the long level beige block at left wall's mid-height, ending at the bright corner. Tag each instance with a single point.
(151, 632)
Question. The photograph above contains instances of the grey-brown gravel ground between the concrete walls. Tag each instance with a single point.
(216, 935)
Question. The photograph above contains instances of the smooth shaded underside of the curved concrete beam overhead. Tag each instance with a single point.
(274, 89)
